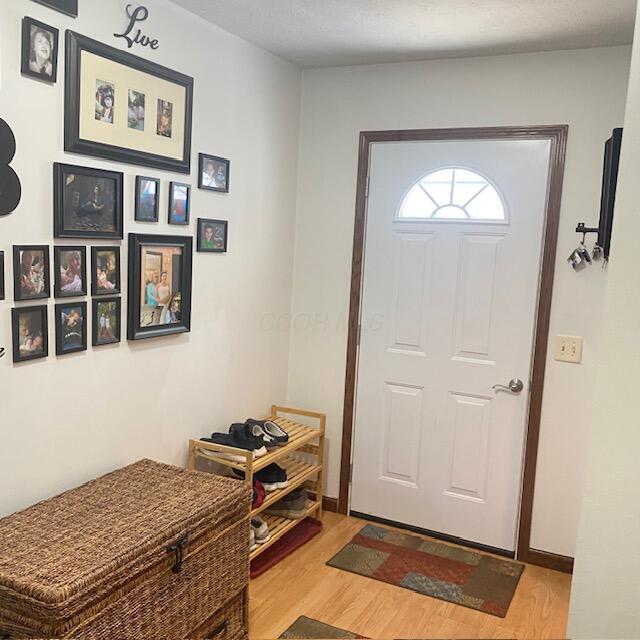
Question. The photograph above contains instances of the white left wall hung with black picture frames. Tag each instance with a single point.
(66, 419)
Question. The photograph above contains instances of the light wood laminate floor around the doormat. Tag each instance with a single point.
(302, 585)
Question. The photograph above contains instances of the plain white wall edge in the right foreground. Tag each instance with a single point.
(605, 596)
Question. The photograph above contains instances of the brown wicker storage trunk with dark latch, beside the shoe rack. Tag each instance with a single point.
(148, 551)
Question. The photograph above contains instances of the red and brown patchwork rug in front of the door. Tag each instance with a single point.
(443, 571)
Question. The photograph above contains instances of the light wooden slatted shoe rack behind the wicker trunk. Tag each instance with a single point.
(302, 457)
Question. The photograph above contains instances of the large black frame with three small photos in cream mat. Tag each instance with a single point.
(125, 108)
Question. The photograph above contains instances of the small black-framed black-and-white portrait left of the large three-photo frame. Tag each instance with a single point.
(39, 50)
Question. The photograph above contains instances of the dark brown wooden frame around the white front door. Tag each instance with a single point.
(557, 134)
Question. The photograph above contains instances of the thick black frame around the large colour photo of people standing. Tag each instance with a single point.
(155, 244)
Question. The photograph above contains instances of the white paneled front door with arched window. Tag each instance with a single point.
(450, 288)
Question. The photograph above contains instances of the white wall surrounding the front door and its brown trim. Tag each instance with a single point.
(585, 89)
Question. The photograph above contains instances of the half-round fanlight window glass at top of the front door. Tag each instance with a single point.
(453, 194)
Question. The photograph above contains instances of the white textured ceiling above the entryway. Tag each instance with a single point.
(319, 33)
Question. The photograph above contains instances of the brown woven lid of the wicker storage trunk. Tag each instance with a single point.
(58, 551)
